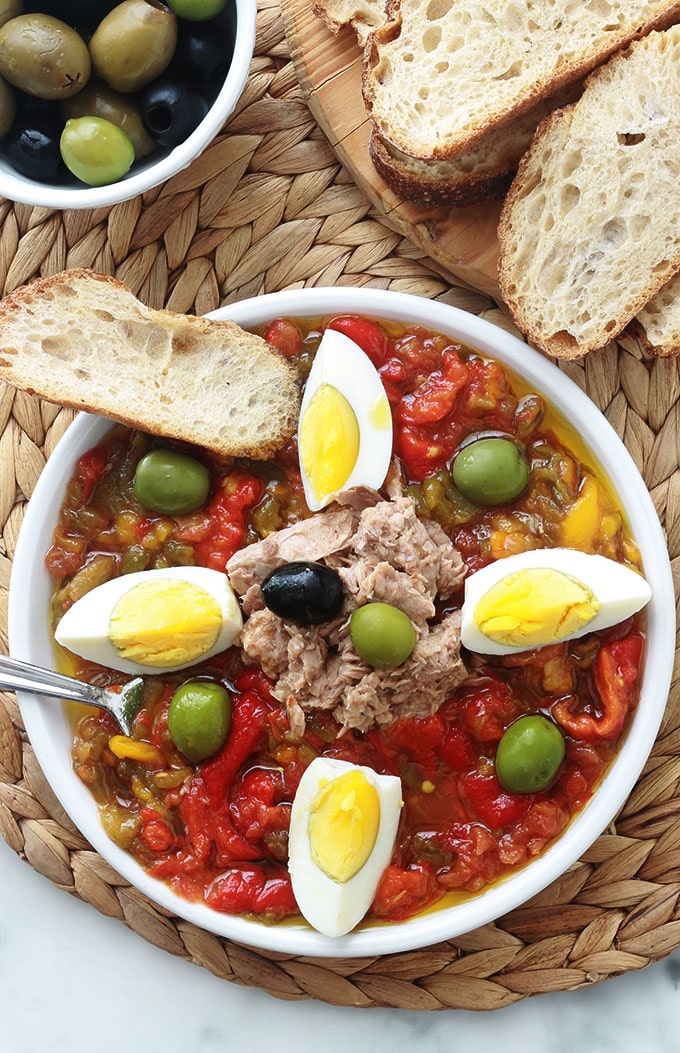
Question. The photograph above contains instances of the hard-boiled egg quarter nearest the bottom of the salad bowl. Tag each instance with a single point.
(344, 826)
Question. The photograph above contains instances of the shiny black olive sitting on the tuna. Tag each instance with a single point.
(306, 594)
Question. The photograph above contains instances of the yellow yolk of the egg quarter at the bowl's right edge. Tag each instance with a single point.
(535, 607)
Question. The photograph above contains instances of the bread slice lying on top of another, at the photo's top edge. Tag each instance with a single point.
(443, 73)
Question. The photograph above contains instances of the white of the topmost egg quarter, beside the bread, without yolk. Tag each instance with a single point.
(343, 365)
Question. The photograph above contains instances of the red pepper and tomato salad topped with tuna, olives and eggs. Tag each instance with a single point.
(346, 644)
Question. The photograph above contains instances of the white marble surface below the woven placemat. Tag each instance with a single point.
(75, 982)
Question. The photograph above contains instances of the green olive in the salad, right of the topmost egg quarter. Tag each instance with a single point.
(490, 471)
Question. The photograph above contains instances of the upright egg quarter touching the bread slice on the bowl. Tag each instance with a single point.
(345, 433)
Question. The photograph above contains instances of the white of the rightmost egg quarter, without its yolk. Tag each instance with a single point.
(621, 591)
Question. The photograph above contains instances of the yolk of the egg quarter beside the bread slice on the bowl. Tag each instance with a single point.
(329, 442)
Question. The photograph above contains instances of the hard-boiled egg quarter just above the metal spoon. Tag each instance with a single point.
(153, 622)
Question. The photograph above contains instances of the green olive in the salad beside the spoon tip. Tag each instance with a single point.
(199, 719)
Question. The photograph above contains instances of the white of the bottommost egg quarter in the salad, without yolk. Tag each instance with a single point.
(331, 907)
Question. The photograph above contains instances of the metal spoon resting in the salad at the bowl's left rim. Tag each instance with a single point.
(123, 705)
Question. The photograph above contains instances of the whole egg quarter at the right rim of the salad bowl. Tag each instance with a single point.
(541, 598)
